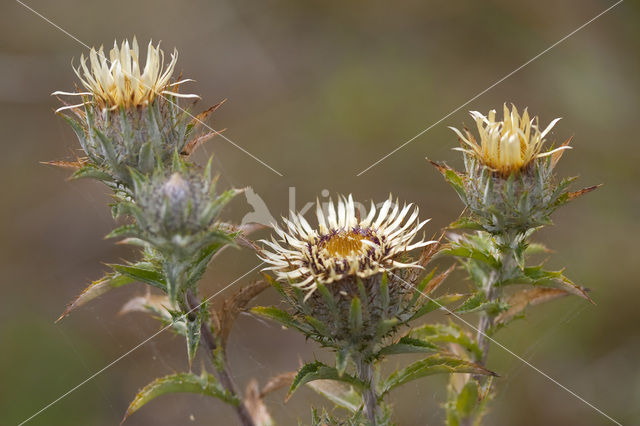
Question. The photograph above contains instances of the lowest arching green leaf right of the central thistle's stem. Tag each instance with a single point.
(434, 364)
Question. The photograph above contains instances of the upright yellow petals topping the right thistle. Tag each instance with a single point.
(509, 145)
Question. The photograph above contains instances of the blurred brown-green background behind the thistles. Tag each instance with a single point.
(319, 91)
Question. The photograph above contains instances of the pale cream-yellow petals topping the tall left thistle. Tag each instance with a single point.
(122, 81)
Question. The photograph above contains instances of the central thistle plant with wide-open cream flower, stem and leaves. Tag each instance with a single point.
(351, 285)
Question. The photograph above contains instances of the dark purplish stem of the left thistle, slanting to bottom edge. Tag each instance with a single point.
(222, 369)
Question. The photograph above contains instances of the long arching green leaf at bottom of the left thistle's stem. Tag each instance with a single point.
(204, 384)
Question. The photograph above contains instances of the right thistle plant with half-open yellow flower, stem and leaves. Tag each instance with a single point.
(510, 190)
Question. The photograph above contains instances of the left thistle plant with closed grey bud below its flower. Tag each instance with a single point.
(137, 140)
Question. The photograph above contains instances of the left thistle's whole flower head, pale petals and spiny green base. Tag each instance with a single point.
(130, 116)
